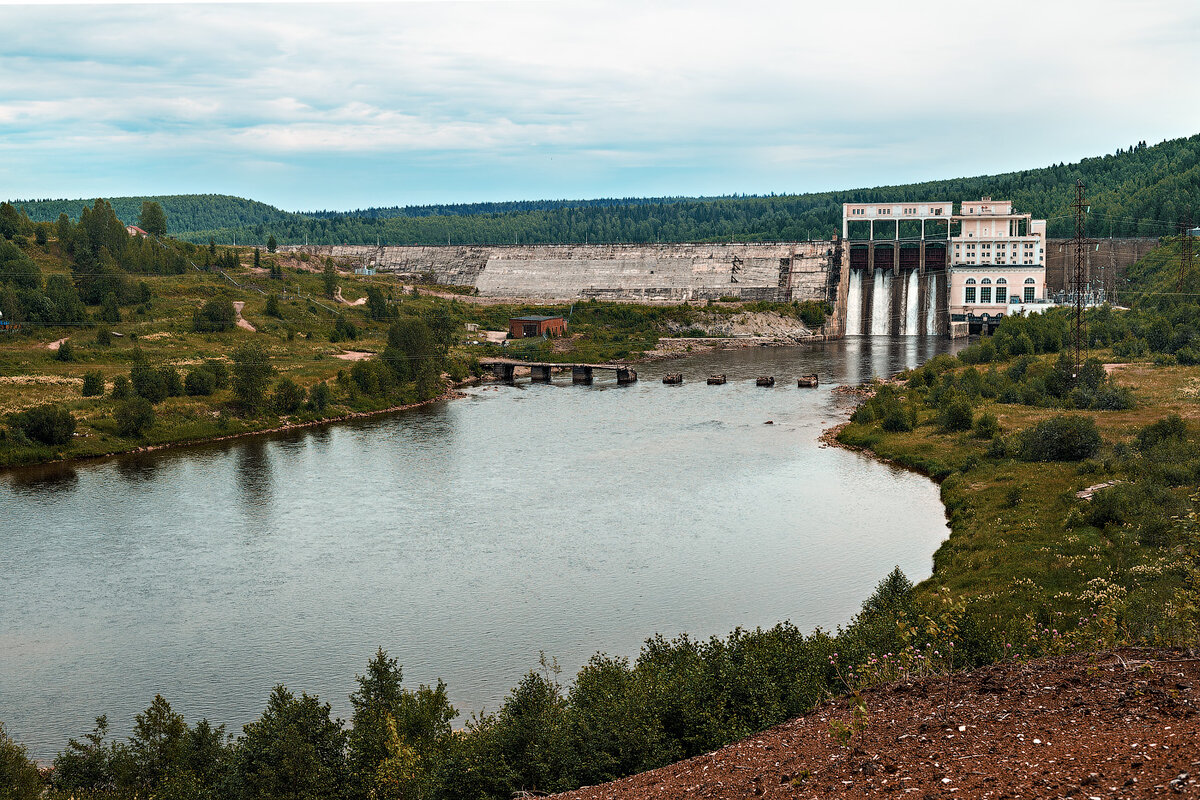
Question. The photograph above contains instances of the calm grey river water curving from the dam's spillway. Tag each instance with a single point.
(464, 538)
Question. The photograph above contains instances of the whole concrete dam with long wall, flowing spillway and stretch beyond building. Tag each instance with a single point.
(905, 298)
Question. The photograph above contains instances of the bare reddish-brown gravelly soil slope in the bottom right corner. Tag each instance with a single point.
(1111, 725)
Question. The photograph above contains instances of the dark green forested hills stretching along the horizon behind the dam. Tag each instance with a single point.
(1142, 191)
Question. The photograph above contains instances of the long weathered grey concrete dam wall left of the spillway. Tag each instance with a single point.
(778, 272)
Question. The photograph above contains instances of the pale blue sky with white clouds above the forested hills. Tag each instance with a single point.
(345, 106)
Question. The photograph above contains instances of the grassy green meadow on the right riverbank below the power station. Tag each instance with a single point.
(1022, 542)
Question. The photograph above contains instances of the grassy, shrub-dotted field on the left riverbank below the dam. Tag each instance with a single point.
(298, 342)
